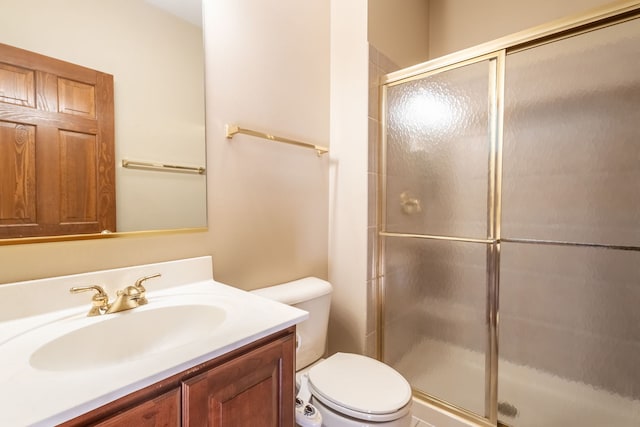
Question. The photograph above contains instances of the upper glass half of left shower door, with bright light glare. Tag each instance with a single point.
(437, 153)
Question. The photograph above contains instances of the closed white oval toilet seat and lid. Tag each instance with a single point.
(360, 387)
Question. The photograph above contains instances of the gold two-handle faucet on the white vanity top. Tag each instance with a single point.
(130, 297)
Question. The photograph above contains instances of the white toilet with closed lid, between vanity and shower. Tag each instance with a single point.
(347, 389)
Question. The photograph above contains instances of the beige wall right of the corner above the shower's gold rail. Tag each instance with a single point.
(456, 25)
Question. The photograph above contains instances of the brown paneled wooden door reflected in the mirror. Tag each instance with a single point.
(57, 167)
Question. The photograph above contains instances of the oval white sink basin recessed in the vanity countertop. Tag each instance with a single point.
(127, 336)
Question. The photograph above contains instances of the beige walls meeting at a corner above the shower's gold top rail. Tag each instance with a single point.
(413, 31)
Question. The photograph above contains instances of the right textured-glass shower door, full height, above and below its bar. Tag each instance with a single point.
(570, 259)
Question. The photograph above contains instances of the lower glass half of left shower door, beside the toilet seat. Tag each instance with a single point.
(435, 319)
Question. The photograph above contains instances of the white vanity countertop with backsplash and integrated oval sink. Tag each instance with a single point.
(59, 363)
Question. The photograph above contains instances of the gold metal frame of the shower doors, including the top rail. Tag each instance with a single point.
(495, 53)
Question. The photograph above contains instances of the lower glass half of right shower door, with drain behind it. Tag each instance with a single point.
(569, 336)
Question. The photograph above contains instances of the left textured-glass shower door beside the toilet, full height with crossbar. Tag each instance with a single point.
(437, 230)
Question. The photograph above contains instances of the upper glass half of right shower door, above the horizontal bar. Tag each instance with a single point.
(572, 139)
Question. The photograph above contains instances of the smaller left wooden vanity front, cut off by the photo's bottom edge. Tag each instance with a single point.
(162, 411)
